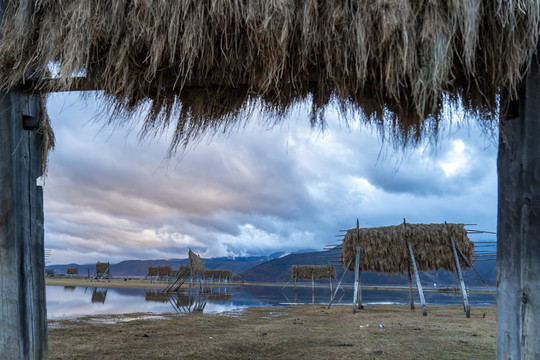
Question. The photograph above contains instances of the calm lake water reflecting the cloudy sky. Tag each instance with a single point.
(70, 302)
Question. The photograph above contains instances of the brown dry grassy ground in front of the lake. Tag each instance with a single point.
(293, 332)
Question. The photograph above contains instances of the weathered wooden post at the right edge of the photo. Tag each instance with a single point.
(518, 224)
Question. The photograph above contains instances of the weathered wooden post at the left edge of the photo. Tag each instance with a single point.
(23, 326)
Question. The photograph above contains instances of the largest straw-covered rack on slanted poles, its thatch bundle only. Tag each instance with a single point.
(384, 249)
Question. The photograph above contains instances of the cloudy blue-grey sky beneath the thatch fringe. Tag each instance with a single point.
(109, 197)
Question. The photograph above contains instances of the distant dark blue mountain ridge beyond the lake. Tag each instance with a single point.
(277, 268)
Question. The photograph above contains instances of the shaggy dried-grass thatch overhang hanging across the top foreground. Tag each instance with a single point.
(201, 66)
